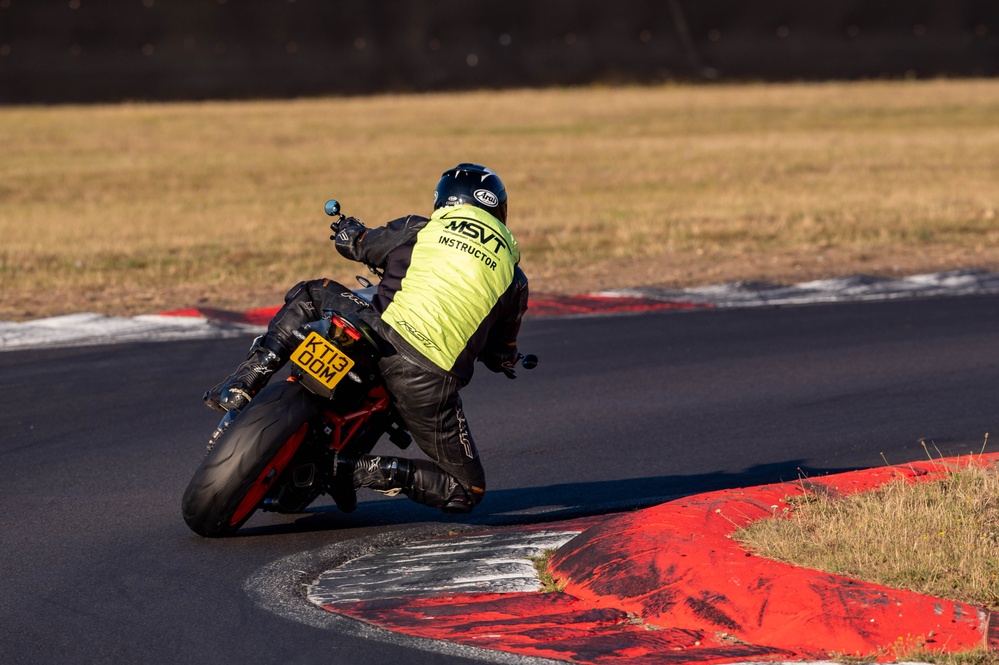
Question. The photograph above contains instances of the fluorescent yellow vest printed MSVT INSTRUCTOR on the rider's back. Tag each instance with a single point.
(462, 262)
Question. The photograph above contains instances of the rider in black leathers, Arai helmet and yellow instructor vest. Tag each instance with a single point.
(451, 293)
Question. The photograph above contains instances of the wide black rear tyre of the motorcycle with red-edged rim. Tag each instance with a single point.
(248, 456)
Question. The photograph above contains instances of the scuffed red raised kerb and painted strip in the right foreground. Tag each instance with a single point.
(669, 585)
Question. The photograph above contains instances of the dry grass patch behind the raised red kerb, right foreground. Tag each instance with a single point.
(938, 538)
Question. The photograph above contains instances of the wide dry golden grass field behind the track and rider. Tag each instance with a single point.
(137, 208)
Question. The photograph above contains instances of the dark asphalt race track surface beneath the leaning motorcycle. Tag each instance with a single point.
(98, 444)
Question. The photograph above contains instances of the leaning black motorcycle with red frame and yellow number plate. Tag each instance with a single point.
(278, 452)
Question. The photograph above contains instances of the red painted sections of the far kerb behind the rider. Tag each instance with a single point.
(541, 305)
